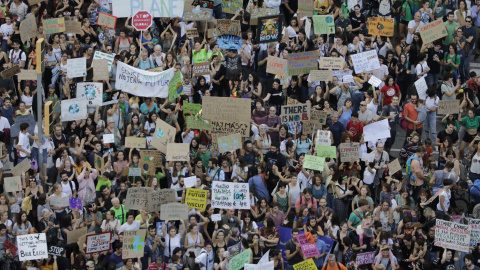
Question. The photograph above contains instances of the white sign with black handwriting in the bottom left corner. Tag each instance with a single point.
(32, 246)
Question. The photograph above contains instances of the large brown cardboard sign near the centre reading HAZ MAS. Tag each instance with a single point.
(226, 109)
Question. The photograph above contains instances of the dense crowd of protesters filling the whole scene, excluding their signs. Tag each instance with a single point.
(359, 204)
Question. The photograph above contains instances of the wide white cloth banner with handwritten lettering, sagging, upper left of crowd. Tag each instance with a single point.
(143, 83)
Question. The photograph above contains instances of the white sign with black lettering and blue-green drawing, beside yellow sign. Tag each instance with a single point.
(230, 195)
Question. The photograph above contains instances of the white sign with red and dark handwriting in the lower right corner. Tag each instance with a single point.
(452, 235)
